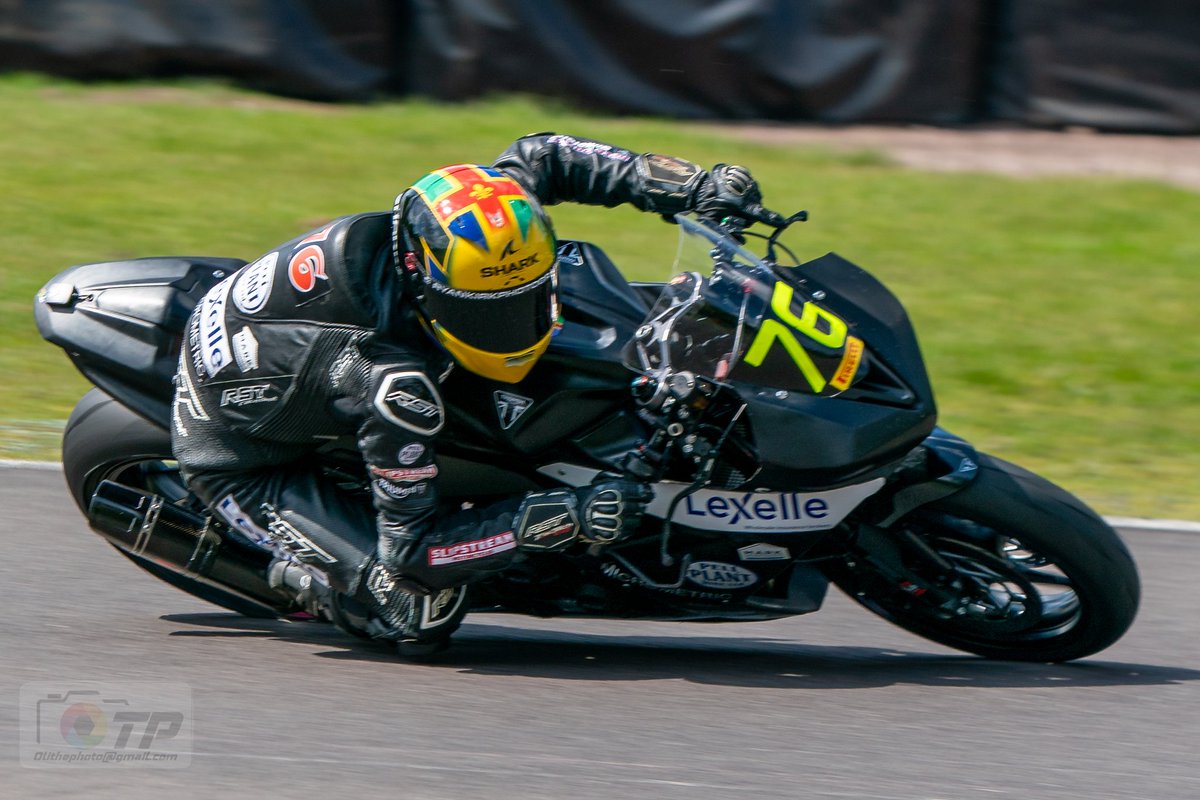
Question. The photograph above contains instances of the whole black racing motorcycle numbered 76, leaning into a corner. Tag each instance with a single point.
(781, 410)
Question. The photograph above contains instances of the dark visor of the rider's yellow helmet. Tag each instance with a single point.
(495, 322)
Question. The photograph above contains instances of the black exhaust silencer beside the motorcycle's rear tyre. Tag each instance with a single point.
(183, 542)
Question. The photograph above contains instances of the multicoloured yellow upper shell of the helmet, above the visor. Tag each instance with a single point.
(495, 238)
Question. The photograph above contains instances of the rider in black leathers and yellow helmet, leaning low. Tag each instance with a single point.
(352, 328)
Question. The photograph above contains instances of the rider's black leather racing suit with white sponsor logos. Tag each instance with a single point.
(317, 340)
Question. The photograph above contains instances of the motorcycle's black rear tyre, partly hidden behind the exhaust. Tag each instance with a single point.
(106, 442)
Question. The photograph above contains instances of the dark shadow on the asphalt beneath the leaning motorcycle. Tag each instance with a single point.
(739, 660)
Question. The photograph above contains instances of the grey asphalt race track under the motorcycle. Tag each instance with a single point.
(837, 705)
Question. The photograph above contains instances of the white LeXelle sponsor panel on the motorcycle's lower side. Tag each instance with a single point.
(763, 512)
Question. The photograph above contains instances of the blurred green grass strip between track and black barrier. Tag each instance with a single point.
(1058, 316)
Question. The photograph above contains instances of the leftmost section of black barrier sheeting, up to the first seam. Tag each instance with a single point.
(307, 49)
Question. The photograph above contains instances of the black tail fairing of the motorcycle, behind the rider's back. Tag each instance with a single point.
(122, 323)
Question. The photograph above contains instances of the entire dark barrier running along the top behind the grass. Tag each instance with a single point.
(1106, 64)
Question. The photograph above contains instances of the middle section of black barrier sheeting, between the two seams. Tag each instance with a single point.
(837, 61)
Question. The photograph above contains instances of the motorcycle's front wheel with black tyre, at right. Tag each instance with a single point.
(1039, 576)
